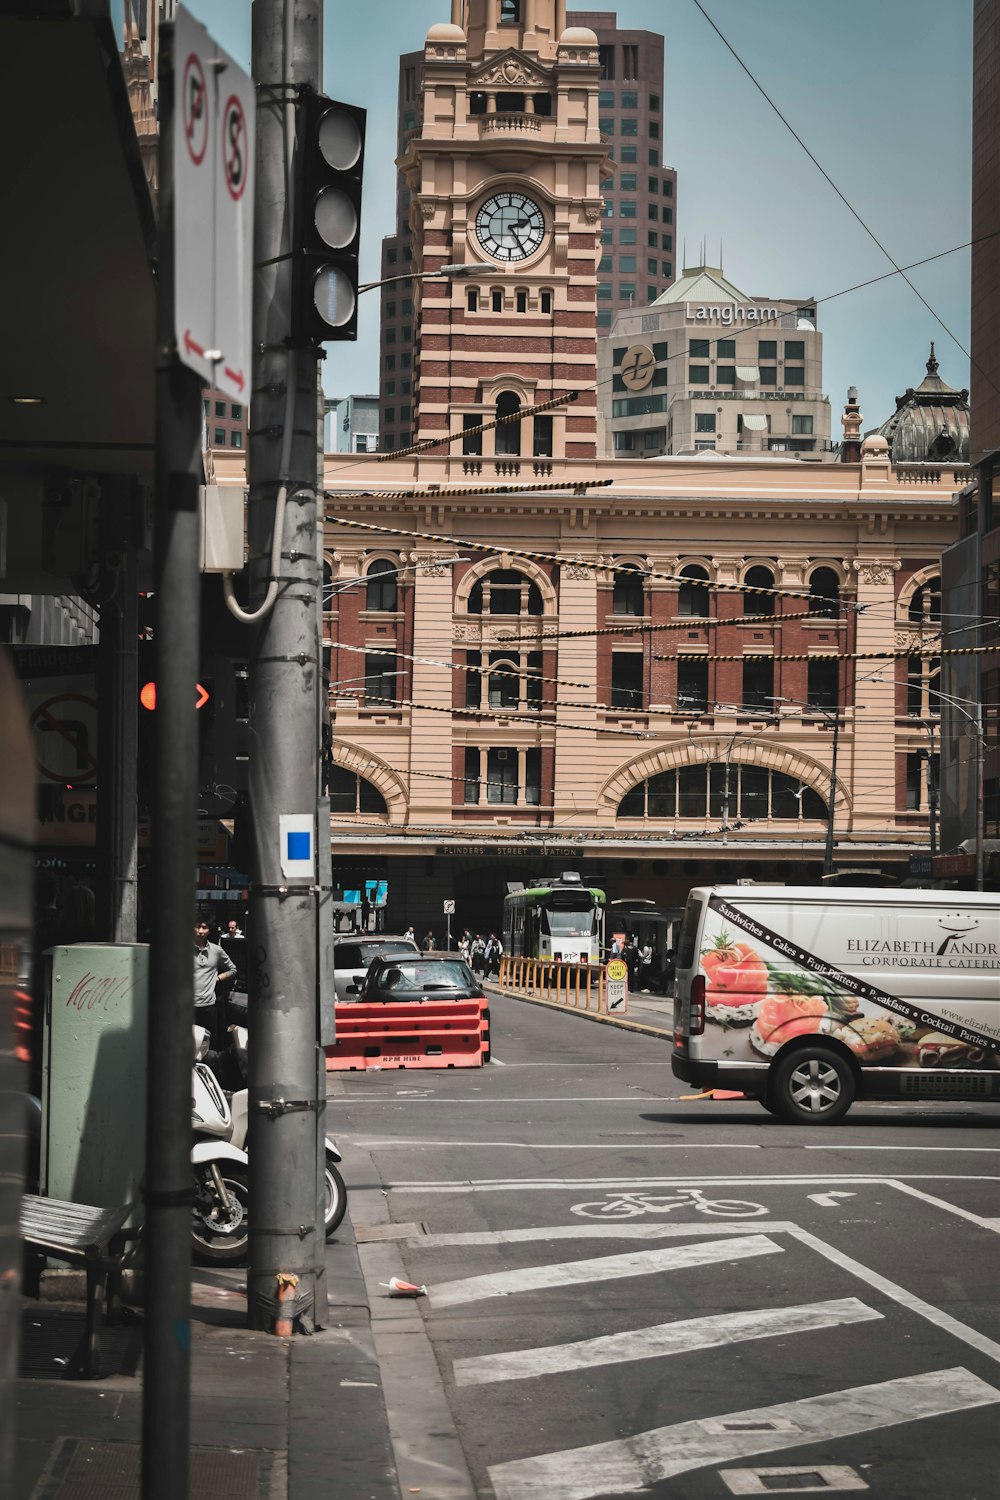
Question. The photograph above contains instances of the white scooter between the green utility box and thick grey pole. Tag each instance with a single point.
(221, 1228)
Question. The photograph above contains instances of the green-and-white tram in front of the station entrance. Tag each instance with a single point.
(563, 922)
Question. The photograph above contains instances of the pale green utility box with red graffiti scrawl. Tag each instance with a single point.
(94, 1073)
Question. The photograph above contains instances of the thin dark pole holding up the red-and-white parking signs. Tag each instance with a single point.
(169, 1177)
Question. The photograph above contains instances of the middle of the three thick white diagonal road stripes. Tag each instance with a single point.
(665, 1339)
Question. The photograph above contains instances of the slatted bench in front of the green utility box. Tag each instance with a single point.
(86, 1237)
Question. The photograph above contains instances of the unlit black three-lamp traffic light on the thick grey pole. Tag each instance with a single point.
(329, 212)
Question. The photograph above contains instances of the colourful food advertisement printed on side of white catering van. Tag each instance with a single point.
(762, 991)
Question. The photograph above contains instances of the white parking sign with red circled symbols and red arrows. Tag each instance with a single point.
(215, 121)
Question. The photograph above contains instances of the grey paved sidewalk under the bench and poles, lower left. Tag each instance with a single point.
(271, 1418)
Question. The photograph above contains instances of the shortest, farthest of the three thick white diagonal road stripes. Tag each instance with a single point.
(605, 1268)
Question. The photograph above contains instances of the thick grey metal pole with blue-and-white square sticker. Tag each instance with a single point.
(286, 682)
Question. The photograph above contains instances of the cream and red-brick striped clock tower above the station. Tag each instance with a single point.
(504, 181)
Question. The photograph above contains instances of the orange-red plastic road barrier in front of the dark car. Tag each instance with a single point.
(410, 1034)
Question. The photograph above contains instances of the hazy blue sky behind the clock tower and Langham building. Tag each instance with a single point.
(879, 91)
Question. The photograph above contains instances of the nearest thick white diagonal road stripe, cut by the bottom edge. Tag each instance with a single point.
(633, 1465)
